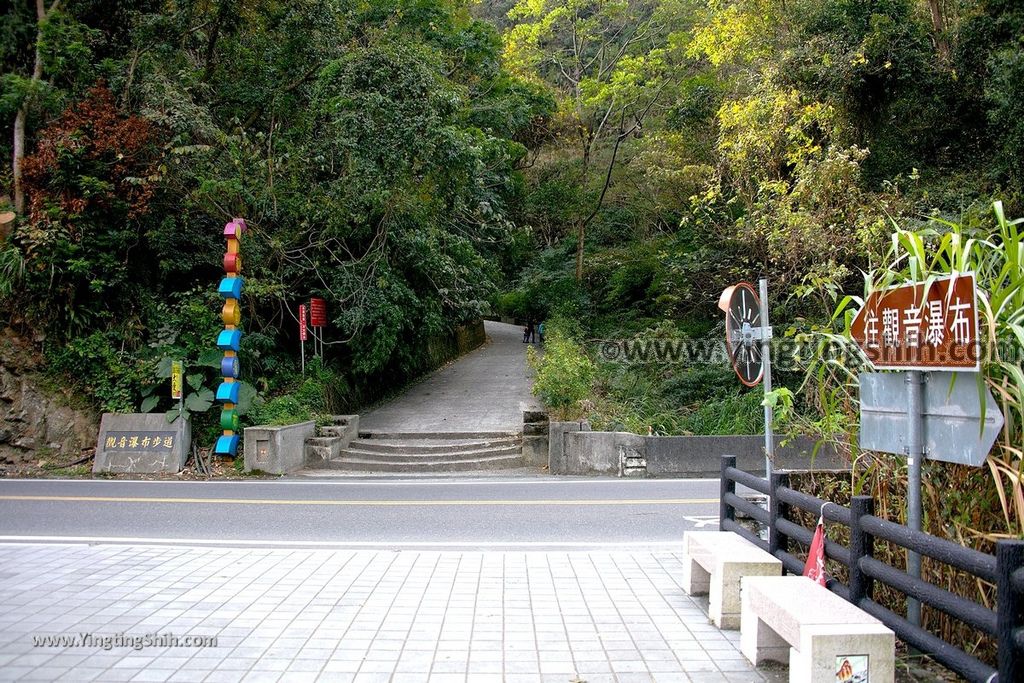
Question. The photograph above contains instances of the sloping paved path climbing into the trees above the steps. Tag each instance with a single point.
(480, 393)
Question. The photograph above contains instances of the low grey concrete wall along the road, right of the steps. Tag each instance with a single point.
(575, 450)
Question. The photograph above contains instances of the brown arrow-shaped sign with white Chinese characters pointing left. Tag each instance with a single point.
(904, 328)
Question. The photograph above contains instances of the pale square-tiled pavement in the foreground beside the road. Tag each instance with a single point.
(363, 616)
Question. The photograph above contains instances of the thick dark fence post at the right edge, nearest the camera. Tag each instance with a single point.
(1010, 610)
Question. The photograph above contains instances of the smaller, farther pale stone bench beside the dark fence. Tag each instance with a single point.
(713, 566)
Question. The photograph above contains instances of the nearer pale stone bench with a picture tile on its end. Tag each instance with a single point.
(794, 619)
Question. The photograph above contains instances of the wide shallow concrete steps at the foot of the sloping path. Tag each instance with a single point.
(422, 452)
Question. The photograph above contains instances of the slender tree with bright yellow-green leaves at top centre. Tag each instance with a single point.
(610, 62)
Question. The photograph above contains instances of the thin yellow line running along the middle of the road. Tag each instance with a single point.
(258, 501)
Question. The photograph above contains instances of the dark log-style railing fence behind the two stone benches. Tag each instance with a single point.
(1005, 570)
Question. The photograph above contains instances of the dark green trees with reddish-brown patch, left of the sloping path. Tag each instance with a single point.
(372, 148)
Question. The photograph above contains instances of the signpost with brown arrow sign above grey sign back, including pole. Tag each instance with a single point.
(921, 328)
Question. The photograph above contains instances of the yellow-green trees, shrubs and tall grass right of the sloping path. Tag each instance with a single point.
(831, 146)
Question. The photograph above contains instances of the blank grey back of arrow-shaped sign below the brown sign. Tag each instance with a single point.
(956, 430)
